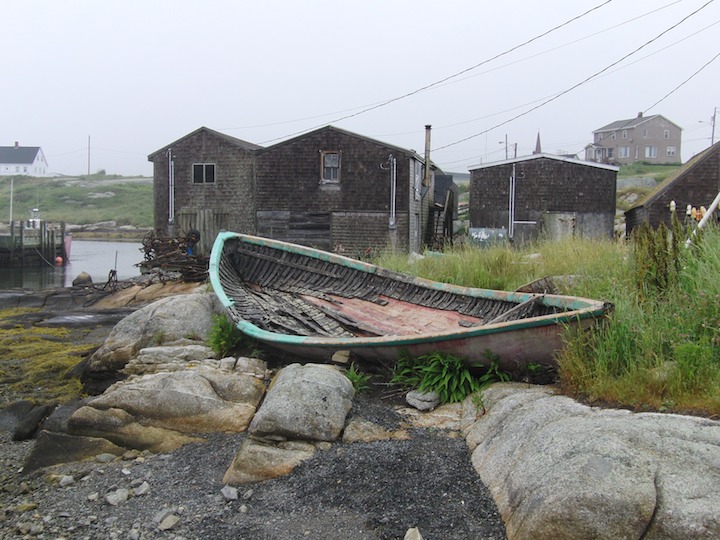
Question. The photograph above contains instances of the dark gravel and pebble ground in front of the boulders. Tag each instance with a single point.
(350, 491)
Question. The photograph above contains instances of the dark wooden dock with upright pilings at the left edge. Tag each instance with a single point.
(34, 242)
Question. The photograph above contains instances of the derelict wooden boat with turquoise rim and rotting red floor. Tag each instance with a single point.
(315, 304)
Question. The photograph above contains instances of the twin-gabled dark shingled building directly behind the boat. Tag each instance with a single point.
(328, 188)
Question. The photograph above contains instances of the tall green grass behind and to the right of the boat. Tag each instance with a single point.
(660, 348)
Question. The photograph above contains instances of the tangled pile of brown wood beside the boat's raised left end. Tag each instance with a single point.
(174, 255)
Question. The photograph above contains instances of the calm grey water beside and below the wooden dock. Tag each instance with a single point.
(95, 258)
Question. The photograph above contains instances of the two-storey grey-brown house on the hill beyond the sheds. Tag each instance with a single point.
(653, 139)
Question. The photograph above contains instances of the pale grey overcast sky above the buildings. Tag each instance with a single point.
(131, 77)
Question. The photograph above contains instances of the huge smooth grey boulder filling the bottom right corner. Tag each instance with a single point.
(563, 470)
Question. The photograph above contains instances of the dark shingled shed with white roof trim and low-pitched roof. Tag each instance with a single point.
(543, 194)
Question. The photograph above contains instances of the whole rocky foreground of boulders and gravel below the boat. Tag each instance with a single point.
(189, 446)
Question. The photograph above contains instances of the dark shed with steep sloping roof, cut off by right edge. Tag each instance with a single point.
(695, 184)
